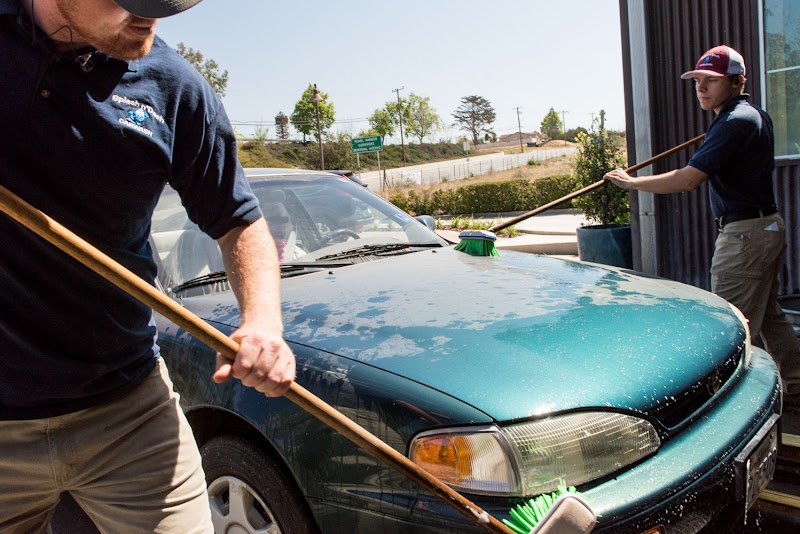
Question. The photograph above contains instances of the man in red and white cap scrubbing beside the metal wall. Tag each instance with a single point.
(737, 158)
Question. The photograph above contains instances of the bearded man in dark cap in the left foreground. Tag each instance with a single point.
(98, 115)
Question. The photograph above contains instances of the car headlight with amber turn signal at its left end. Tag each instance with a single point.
(533, 458)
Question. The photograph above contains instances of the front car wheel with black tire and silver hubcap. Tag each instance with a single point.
(250, 493)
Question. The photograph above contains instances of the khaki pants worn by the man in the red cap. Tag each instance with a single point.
(744, 271)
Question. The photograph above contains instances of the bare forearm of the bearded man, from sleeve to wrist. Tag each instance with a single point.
(253, 271)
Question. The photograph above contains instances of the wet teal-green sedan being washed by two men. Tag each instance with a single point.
(502, 376)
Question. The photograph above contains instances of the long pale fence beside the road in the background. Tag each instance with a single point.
(458, 169)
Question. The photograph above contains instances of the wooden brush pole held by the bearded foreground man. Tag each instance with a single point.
(97, 261)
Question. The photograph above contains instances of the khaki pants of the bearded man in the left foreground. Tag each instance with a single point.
(132, 465)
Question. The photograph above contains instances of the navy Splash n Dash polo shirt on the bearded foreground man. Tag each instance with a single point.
(93, 148)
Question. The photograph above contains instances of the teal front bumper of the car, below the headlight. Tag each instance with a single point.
(686, 486)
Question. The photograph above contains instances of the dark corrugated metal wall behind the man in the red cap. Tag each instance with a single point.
(677, 32)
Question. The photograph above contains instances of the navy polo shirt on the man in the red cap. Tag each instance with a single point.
(738, 156)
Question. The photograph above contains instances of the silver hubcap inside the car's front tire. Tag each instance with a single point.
(236, 508)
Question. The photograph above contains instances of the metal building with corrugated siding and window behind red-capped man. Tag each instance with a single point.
(674, 234)
